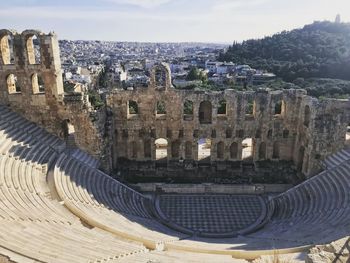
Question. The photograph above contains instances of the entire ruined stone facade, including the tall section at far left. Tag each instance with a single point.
(284, 125)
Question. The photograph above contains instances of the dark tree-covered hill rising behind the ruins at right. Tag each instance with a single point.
(318, 50)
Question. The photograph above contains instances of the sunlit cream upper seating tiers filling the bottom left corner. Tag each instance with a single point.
(34, 225)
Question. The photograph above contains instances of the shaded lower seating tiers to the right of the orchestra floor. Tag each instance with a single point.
(315, 211)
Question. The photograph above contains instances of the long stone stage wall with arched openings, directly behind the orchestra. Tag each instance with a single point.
(283, 135)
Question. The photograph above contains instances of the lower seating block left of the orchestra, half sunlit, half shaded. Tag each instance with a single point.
(104, 202)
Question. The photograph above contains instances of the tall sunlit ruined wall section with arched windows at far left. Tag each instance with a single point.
(44, 103)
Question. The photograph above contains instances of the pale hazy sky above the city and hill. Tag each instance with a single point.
(167, 20)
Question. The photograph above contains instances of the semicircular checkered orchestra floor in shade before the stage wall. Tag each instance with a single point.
(211, 215)
